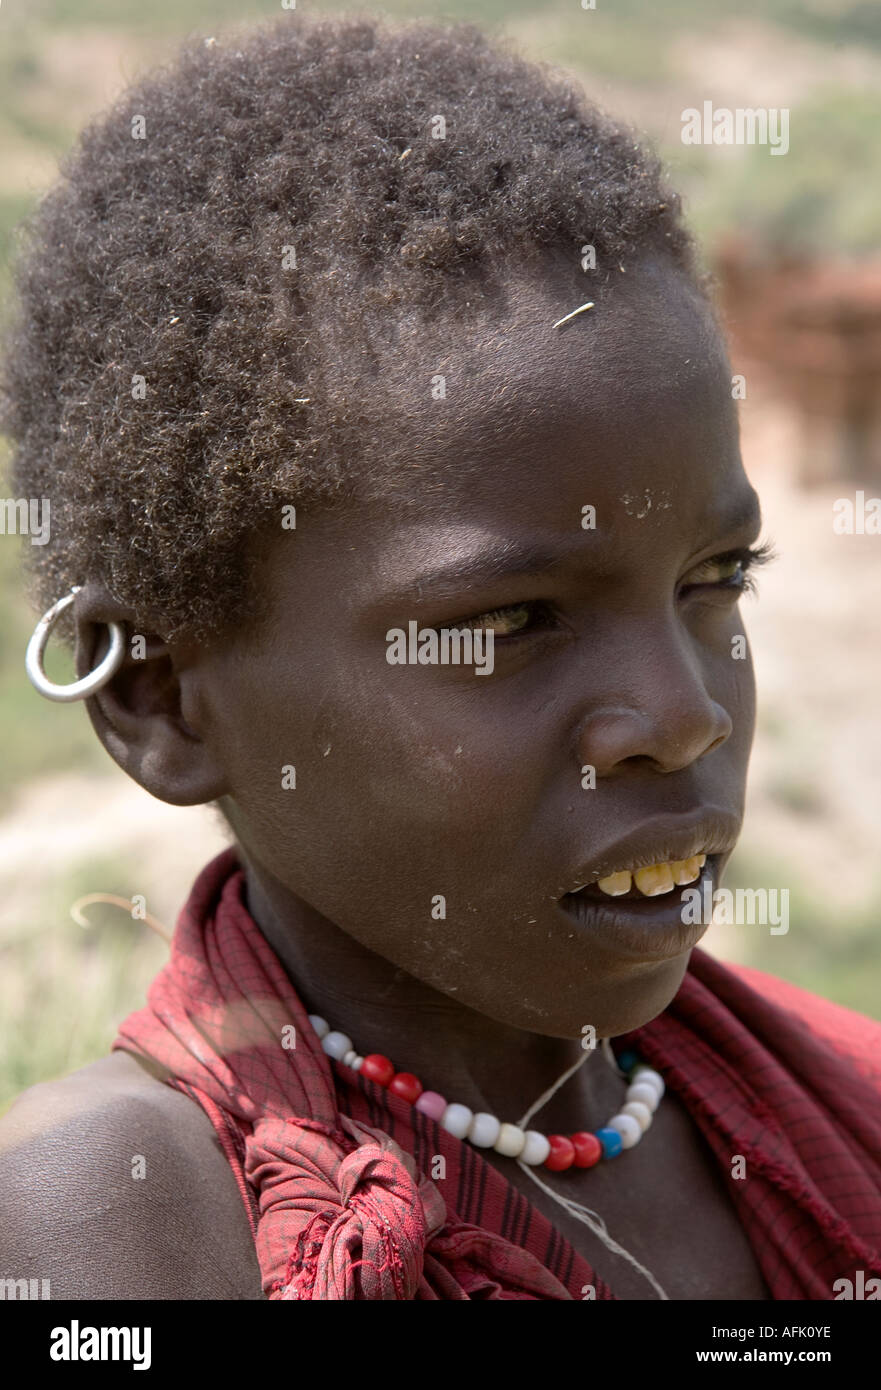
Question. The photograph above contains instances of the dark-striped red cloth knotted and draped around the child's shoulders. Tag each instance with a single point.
(334, 1170)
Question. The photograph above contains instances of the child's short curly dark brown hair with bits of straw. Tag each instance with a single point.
(229, 231)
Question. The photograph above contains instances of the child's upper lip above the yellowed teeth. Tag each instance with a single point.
(711, 832)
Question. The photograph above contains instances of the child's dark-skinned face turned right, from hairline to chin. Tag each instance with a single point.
(416, 782)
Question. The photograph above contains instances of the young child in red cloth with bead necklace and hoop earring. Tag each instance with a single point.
(394, 466)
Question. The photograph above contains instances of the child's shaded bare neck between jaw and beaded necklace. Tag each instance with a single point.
(465, 1056)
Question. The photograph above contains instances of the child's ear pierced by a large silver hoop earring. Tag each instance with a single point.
(137, 715)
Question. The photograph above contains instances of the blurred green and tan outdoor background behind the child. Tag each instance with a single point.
(796, 244)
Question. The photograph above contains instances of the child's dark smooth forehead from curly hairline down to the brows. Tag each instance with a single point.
(493, 437)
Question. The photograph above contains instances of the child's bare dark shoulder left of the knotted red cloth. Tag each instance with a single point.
(115, 1186)
